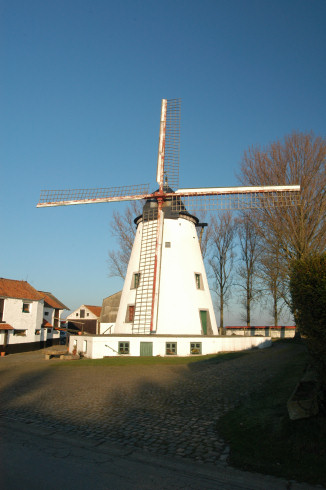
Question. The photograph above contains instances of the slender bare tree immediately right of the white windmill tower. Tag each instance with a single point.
(221, 257)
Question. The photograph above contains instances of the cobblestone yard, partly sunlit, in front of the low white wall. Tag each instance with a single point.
(166, 409)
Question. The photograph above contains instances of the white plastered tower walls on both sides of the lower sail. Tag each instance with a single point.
(179, 300)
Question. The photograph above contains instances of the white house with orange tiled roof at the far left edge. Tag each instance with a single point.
(28, 318)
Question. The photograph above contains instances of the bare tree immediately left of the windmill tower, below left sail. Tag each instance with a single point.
(124, 229)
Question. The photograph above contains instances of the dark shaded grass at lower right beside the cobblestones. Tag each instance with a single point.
(262, 438)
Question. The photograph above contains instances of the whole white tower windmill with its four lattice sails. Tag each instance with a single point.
(166, 289)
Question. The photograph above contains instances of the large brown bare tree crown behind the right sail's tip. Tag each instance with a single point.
(299, 159)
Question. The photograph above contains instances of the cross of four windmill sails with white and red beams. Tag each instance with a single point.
(191, 199)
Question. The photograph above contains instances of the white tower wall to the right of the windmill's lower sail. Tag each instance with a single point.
(180, 301)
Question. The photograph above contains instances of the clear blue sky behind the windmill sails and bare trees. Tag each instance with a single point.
(81, 89)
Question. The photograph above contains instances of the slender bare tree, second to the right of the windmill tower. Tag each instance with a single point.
(247, 268)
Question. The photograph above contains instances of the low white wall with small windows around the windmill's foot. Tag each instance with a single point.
(99, 346)
